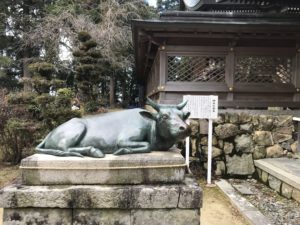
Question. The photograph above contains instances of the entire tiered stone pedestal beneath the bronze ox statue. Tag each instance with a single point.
(168, 198)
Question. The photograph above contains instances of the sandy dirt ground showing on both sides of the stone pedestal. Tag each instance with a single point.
(216, 207)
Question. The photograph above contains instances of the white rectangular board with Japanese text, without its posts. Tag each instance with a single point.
(202, 107)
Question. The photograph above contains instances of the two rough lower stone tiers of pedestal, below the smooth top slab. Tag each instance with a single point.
(165, 204)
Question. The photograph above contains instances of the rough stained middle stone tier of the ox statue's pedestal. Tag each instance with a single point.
(186, 196)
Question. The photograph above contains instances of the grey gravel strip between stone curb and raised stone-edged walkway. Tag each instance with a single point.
(279, 210)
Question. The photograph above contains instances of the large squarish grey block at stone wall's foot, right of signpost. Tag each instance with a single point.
(240, 165)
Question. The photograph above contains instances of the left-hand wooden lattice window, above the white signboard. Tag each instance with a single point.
(196, 68)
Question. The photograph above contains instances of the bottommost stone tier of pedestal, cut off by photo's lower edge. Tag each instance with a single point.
(105, 216)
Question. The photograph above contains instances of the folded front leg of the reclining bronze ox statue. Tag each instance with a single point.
(132, 147)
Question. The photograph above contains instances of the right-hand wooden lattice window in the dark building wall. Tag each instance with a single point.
(262, 69)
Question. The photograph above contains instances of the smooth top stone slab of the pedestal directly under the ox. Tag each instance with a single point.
(146, 168)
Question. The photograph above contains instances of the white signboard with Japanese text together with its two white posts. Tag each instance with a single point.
(202, 107)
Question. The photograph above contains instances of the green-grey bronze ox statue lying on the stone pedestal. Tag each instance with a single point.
(123, 132)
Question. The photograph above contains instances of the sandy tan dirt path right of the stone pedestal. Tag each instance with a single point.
(217, 209)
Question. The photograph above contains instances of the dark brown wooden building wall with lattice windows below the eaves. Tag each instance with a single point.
(283, 89)
